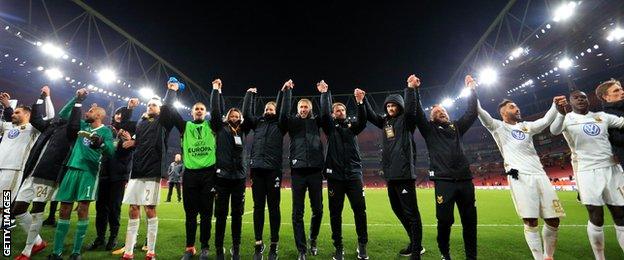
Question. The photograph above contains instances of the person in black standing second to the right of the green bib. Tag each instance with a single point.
(266, 170)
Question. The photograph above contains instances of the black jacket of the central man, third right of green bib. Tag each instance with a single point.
(306, 149)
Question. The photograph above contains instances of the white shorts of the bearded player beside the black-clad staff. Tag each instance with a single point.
(535, 197)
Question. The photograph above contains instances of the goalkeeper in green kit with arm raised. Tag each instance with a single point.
(80, 181)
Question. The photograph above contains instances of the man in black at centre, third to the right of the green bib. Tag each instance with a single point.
(306, 163)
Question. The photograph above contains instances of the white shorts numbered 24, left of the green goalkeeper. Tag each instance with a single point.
(36, 190)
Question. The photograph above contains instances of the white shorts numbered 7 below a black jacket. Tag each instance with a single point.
(142, 192)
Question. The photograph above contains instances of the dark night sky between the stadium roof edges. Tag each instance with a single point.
(348, 45)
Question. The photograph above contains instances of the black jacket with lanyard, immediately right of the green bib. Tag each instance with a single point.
(231, 158)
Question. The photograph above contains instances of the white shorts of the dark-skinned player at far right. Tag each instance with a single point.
(601, 186)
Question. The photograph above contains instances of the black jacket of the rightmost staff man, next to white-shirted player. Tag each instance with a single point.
(446, 154)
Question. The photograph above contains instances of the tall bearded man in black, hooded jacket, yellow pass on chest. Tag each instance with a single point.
(398, 158)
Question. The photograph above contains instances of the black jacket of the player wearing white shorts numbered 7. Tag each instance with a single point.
(148, 158)
